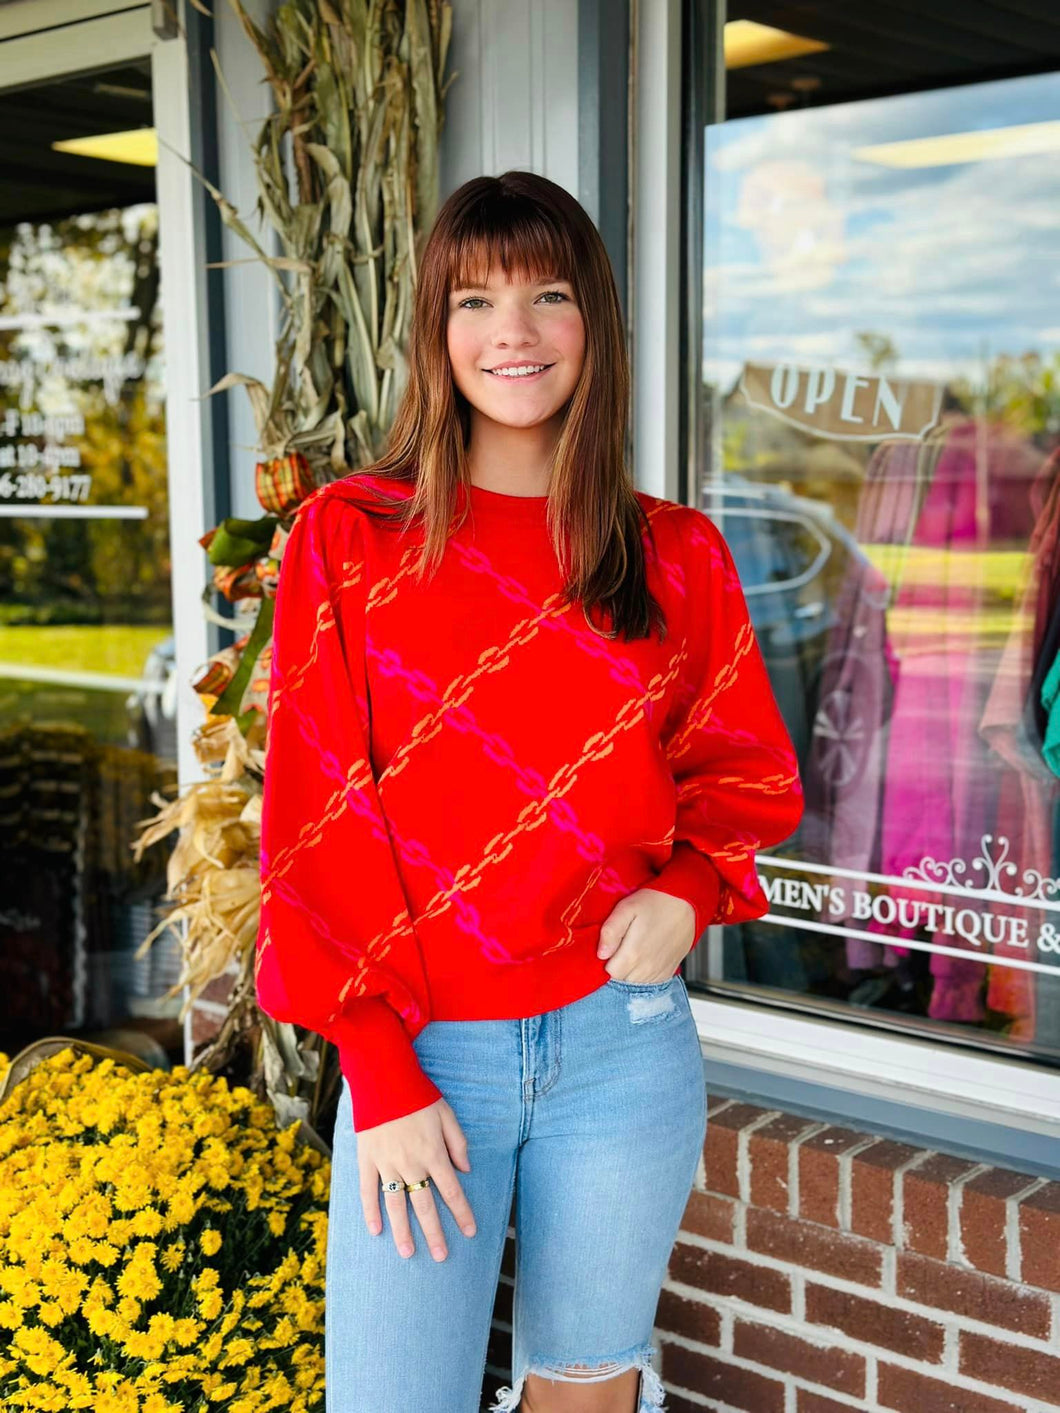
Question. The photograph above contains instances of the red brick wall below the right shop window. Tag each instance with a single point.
(823, 1270)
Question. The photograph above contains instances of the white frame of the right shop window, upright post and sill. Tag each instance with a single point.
(932, 1075)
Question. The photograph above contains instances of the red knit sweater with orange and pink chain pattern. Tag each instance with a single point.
(464, 778)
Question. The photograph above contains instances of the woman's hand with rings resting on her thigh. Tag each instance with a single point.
(425, 1144)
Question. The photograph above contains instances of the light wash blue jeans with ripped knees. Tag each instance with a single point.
(593, 1116)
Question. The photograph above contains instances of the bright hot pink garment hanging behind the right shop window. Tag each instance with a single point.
(942, 781)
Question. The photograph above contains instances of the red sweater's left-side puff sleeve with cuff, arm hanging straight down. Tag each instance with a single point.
(337, 950)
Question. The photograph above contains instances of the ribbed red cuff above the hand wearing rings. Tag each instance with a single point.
(379, 1063)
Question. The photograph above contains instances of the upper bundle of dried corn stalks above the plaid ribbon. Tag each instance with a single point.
(348, 180)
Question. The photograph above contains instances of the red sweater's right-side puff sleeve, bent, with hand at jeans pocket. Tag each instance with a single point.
(733, 761)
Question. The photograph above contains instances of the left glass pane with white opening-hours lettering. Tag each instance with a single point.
(87, 683)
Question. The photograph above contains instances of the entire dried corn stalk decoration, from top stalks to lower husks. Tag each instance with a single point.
(348, 182)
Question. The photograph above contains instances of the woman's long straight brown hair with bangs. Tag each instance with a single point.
(532, 228)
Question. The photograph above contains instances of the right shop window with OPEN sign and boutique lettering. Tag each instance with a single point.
(881, 447)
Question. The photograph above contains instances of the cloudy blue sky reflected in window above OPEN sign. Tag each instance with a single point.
(806, 245)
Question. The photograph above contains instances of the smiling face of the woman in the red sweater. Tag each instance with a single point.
(525, 324)
